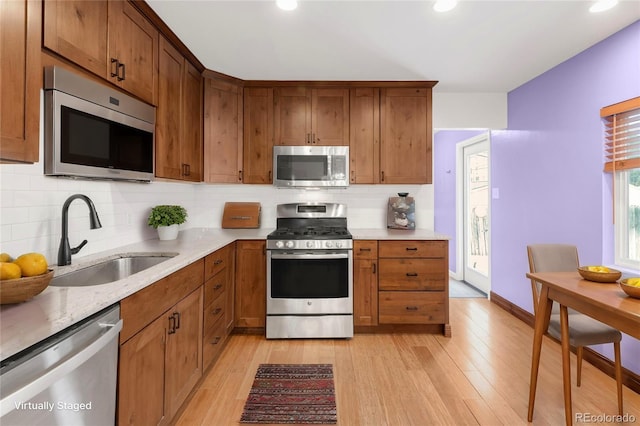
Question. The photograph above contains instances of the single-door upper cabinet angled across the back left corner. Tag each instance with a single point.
(222, 132)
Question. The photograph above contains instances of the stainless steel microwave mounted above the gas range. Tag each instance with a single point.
(311, 166)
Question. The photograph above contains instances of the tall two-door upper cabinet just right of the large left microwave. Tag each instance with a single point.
(178, 117)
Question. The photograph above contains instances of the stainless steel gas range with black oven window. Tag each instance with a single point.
(310, 273)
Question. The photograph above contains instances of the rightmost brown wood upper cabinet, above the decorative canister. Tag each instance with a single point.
(405, 135)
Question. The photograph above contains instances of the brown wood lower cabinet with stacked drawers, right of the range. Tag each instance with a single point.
(411, 286)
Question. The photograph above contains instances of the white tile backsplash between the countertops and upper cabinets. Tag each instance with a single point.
(30, 216)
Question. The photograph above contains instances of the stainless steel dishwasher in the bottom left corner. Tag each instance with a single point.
(67, 379)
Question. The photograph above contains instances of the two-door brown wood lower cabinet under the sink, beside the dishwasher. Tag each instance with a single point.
(160, 347)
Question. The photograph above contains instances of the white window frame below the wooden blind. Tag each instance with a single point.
(622, 232)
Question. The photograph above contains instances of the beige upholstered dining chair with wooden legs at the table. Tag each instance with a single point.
(583, 330)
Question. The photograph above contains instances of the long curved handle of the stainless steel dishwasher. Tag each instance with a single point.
(33, 388)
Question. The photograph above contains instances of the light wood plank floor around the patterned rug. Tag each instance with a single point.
(480, 376)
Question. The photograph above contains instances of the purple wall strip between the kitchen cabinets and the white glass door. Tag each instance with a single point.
(444, 179)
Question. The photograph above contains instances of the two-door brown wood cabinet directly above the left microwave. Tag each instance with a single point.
(109, 38)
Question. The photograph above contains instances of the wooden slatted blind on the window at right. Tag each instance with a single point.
(622, 135)
